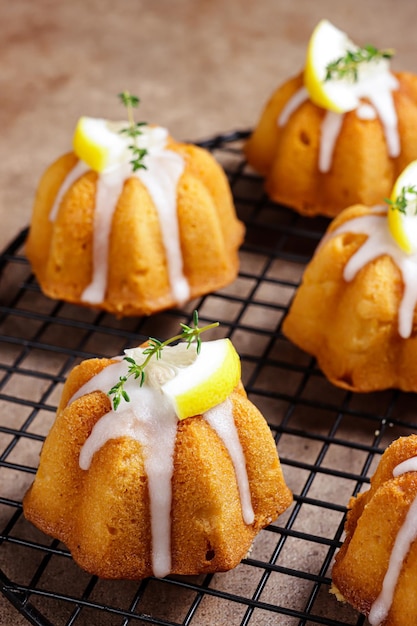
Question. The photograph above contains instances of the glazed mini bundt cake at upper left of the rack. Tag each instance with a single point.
(134, 242)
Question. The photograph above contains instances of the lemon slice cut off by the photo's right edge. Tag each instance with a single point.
(403, 223)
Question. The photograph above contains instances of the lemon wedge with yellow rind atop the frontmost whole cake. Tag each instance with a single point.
(207, 381)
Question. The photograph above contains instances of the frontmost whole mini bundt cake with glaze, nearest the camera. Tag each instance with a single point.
(134, 491)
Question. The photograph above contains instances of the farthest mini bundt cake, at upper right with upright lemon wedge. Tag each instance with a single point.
(319, 161)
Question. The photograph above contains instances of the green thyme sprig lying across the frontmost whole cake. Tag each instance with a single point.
(190, 334)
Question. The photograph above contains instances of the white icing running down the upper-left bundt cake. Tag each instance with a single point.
(163, 170)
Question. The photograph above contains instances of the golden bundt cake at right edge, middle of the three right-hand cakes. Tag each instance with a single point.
(355, 307)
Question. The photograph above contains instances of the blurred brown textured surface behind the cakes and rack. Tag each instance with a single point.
(200, 66)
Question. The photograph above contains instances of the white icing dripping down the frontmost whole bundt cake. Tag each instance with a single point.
(149, 418)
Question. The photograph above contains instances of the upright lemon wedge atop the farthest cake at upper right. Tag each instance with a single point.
(327, 45)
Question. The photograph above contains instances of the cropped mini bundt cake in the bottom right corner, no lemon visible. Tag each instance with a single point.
(375, 569)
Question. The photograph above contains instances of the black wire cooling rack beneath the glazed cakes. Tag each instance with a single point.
(329, 440)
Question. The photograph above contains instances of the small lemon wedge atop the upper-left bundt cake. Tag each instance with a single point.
(99, 143)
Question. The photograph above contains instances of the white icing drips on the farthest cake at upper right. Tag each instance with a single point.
(378, 90)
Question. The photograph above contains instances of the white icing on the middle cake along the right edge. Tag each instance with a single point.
(379, 243)
